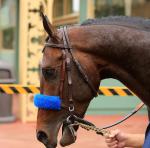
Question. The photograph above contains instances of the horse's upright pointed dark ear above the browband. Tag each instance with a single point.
(48, 27)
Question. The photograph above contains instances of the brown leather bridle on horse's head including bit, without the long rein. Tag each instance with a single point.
(67, 60)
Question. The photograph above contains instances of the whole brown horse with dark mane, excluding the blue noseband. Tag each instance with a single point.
(113, 47)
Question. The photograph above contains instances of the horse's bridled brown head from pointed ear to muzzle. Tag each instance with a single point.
(69, 73)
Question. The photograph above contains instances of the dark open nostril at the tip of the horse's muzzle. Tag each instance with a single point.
(42, 136)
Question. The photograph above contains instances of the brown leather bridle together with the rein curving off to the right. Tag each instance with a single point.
(73, 120)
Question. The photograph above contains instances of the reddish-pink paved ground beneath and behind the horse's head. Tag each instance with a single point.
(19, 135)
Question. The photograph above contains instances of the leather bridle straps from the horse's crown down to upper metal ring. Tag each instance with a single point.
(68, 58)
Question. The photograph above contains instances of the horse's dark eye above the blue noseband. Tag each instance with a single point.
(49, 73)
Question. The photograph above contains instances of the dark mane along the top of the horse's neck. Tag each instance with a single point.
(134, 22)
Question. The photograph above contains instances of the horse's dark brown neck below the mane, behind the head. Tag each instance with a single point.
(117, 53)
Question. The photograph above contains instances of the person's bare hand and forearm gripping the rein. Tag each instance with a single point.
(118, 139)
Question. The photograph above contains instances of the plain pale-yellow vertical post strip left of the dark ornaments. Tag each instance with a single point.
(23, 53)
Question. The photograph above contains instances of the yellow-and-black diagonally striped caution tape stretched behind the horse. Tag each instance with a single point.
(21, 89)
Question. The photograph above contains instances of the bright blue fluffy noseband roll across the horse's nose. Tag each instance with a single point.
(47, 102)
